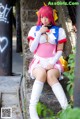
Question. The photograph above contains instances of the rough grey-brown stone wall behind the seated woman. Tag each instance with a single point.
(28, 19)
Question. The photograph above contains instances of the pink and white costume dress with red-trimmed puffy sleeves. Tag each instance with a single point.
(46, 49)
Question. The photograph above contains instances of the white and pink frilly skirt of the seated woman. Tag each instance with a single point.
(38, 61)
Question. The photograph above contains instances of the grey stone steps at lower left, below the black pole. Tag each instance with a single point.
(10, 94)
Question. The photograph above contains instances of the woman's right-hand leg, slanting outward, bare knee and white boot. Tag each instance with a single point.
(52, 79)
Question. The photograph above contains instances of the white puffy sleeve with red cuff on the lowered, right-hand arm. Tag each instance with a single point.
(62, 36)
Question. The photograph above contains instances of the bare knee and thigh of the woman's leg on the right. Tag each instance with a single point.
(52, 76)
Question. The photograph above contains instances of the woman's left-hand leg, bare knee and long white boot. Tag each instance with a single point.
(40, 75)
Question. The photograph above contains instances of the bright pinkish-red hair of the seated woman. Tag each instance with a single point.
(45, 11)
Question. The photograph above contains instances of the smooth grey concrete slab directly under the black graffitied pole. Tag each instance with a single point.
(9, 83)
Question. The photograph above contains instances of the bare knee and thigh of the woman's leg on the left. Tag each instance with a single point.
(39, 73)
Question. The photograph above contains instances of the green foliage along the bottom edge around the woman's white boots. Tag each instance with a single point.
(69, 113)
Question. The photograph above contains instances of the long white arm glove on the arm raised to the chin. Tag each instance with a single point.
(35, 42)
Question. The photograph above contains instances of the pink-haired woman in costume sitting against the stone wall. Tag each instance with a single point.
(46, 41)
